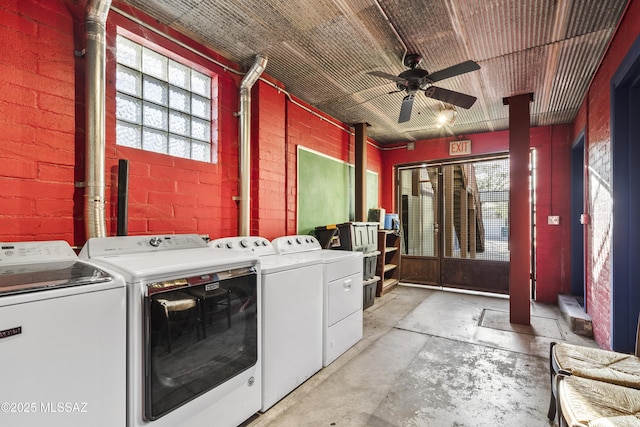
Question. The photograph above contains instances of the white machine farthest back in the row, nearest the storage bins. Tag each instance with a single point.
(342, 292)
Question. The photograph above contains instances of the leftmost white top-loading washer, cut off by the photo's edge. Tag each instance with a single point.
(62, 339)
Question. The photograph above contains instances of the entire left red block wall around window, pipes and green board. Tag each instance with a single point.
(42, 133)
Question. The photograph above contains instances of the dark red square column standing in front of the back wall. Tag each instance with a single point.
(519, 210)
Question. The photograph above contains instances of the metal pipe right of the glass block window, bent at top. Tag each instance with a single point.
(245, 143)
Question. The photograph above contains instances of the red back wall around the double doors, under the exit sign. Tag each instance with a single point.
(552, 146)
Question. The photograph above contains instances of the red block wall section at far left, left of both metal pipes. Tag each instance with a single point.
(37, 122)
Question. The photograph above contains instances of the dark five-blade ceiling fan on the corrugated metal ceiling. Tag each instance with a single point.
(417, 79)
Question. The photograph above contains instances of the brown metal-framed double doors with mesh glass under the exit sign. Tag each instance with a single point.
(455, 224)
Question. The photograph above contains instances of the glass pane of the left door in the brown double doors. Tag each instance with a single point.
(419, 197)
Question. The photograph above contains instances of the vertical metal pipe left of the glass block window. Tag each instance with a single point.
(95, 55)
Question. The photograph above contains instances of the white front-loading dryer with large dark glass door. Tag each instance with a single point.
(193, 327)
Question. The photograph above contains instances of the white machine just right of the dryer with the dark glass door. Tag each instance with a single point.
(291, 316)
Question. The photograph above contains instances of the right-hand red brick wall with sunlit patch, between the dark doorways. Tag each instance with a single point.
(594, 119)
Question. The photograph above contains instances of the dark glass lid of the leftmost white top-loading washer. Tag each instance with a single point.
(23, 278)
